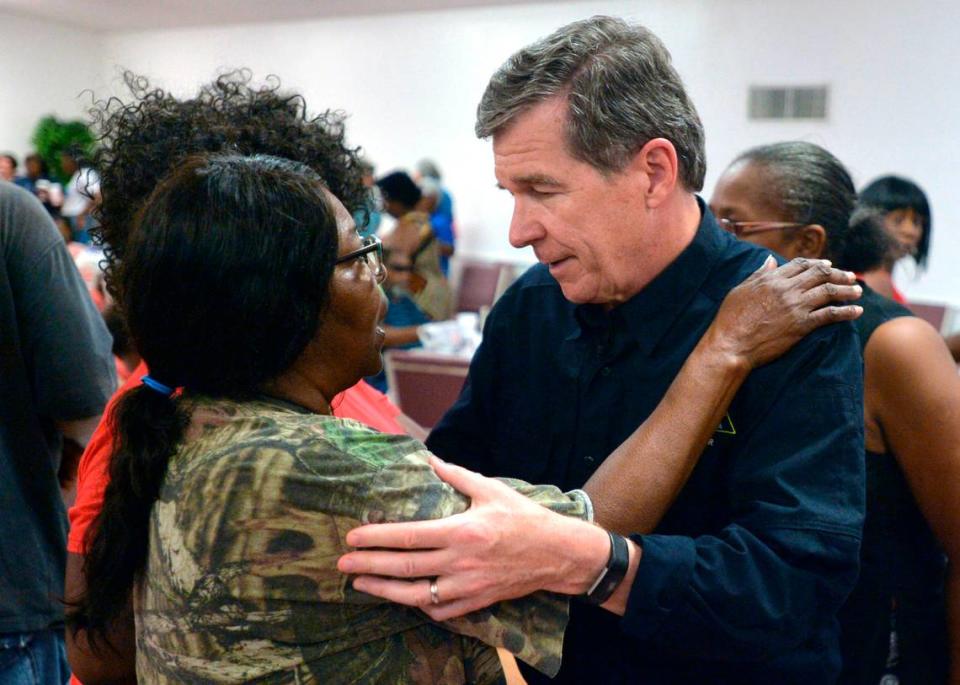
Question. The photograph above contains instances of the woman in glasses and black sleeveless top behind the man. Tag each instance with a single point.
(798, 200)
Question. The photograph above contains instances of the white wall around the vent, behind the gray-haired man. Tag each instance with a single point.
(411, 83)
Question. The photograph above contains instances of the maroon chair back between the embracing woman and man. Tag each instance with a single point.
(424, 384)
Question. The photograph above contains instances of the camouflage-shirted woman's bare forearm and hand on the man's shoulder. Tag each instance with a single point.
(758, 321)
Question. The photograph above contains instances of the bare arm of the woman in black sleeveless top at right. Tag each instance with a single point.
(911, 384)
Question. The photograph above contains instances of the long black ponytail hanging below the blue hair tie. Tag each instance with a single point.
(149, 425)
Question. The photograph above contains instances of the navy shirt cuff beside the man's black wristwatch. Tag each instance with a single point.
(660, 587)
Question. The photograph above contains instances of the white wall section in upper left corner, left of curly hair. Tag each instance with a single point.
(44, 66)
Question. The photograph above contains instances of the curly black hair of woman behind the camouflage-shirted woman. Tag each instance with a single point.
(142, 138)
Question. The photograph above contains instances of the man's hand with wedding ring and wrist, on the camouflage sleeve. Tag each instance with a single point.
(504, 546)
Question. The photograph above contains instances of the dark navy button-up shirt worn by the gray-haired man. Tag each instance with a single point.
(742, 579)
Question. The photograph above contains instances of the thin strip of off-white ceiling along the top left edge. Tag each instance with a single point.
(133, 15)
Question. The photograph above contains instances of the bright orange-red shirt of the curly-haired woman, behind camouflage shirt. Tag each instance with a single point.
(361, 402)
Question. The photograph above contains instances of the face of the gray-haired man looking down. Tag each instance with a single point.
(588, 228)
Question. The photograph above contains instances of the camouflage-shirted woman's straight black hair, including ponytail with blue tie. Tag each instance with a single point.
(223, 242)
